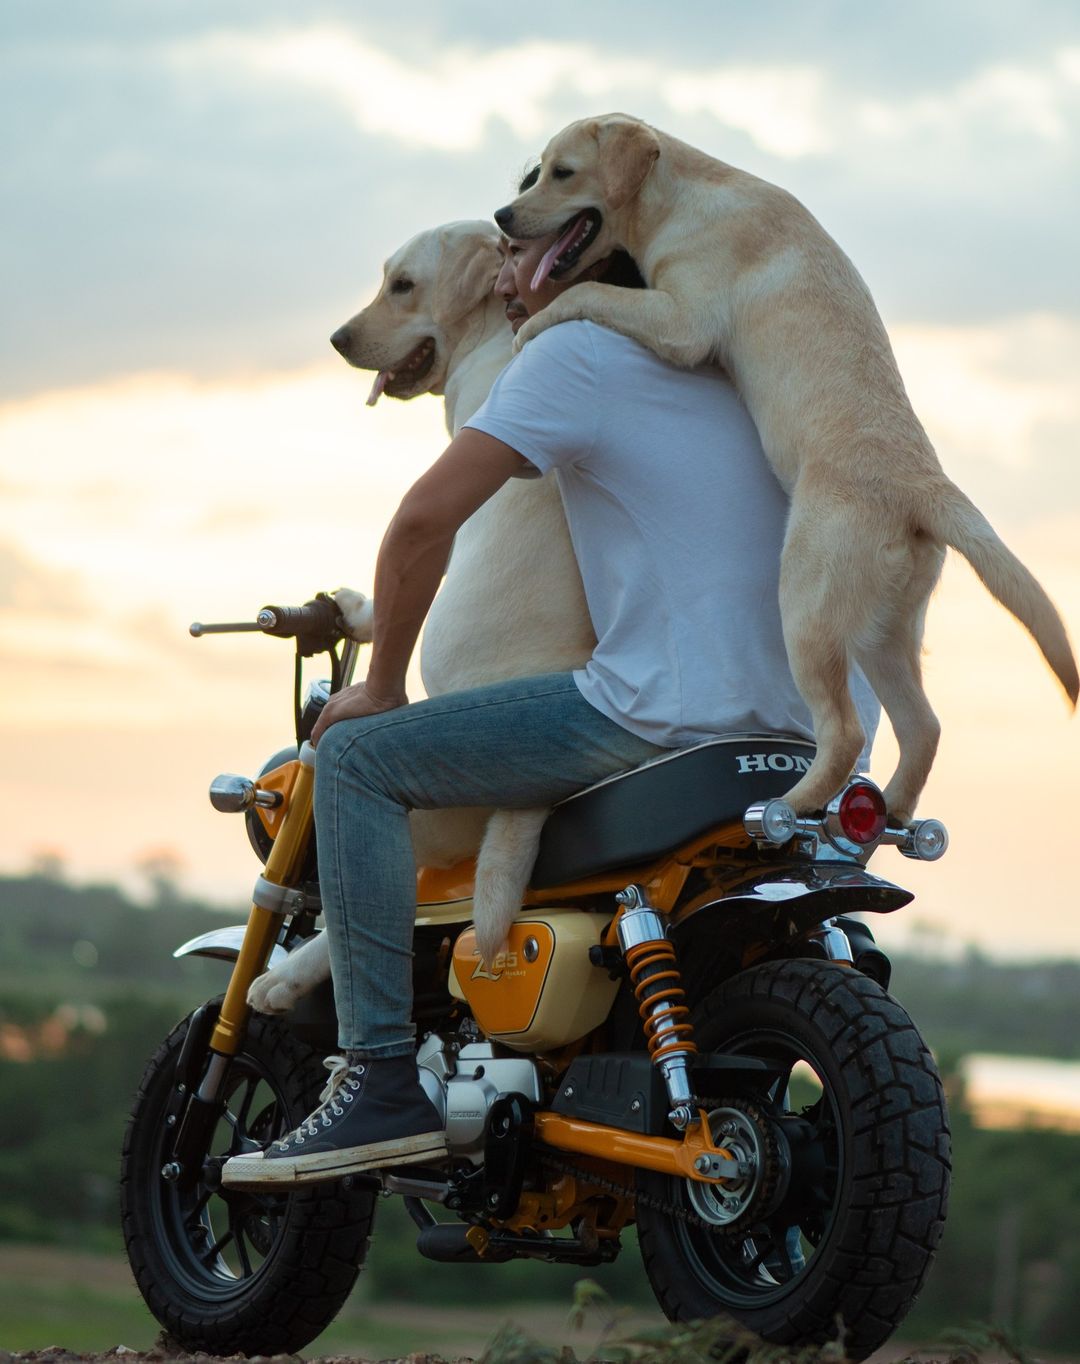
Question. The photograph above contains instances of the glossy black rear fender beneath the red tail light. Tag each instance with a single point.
(802, 894)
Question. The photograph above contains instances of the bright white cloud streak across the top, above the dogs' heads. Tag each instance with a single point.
(787, 110)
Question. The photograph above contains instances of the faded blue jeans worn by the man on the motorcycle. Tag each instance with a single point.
(520, 744)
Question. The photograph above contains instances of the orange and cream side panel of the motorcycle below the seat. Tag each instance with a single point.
(543, 992)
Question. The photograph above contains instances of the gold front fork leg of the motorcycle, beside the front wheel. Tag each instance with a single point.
(272, 901)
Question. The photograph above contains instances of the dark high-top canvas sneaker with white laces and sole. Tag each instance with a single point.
(370, 1115)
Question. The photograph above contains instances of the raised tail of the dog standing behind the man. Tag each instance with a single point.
(955, 520)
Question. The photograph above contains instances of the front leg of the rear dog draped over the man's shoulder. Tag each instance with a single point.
(678, 333)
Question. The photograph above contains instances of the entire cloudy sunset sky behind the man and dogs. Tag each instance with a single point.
(197, 194)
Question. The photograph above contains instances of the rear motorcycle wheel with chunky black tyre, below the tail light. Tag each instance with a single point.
(852, 1156)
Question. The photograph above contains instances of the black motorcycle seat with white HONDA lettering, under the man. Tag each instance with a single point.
(642, 815)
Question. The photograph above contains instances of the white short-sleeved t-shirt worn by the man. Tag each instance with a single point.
(677, 523)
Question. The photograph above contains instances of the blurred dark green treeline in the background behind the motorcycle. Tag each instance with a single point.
(89, 987)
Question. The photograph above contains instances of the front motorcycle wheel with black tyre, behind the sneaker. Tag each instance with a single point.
(227, 1272)
